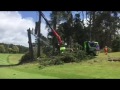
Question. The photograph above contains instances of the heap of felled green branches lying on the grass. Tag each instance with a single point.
(66, 57)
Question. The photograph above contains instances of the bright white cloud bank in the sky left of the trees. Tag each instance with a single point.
(13, 28)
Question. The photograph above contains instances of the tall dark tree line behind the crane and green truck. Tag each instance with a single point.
(101, 26)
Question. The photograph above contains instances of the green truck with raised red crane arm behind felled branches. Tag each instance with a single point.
(89, 46)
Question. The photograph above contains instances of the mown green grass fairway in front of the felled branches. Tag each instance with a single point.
(97, 68)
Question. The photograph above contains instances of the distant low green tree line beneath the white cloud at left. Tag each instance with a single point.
(11, 48)
